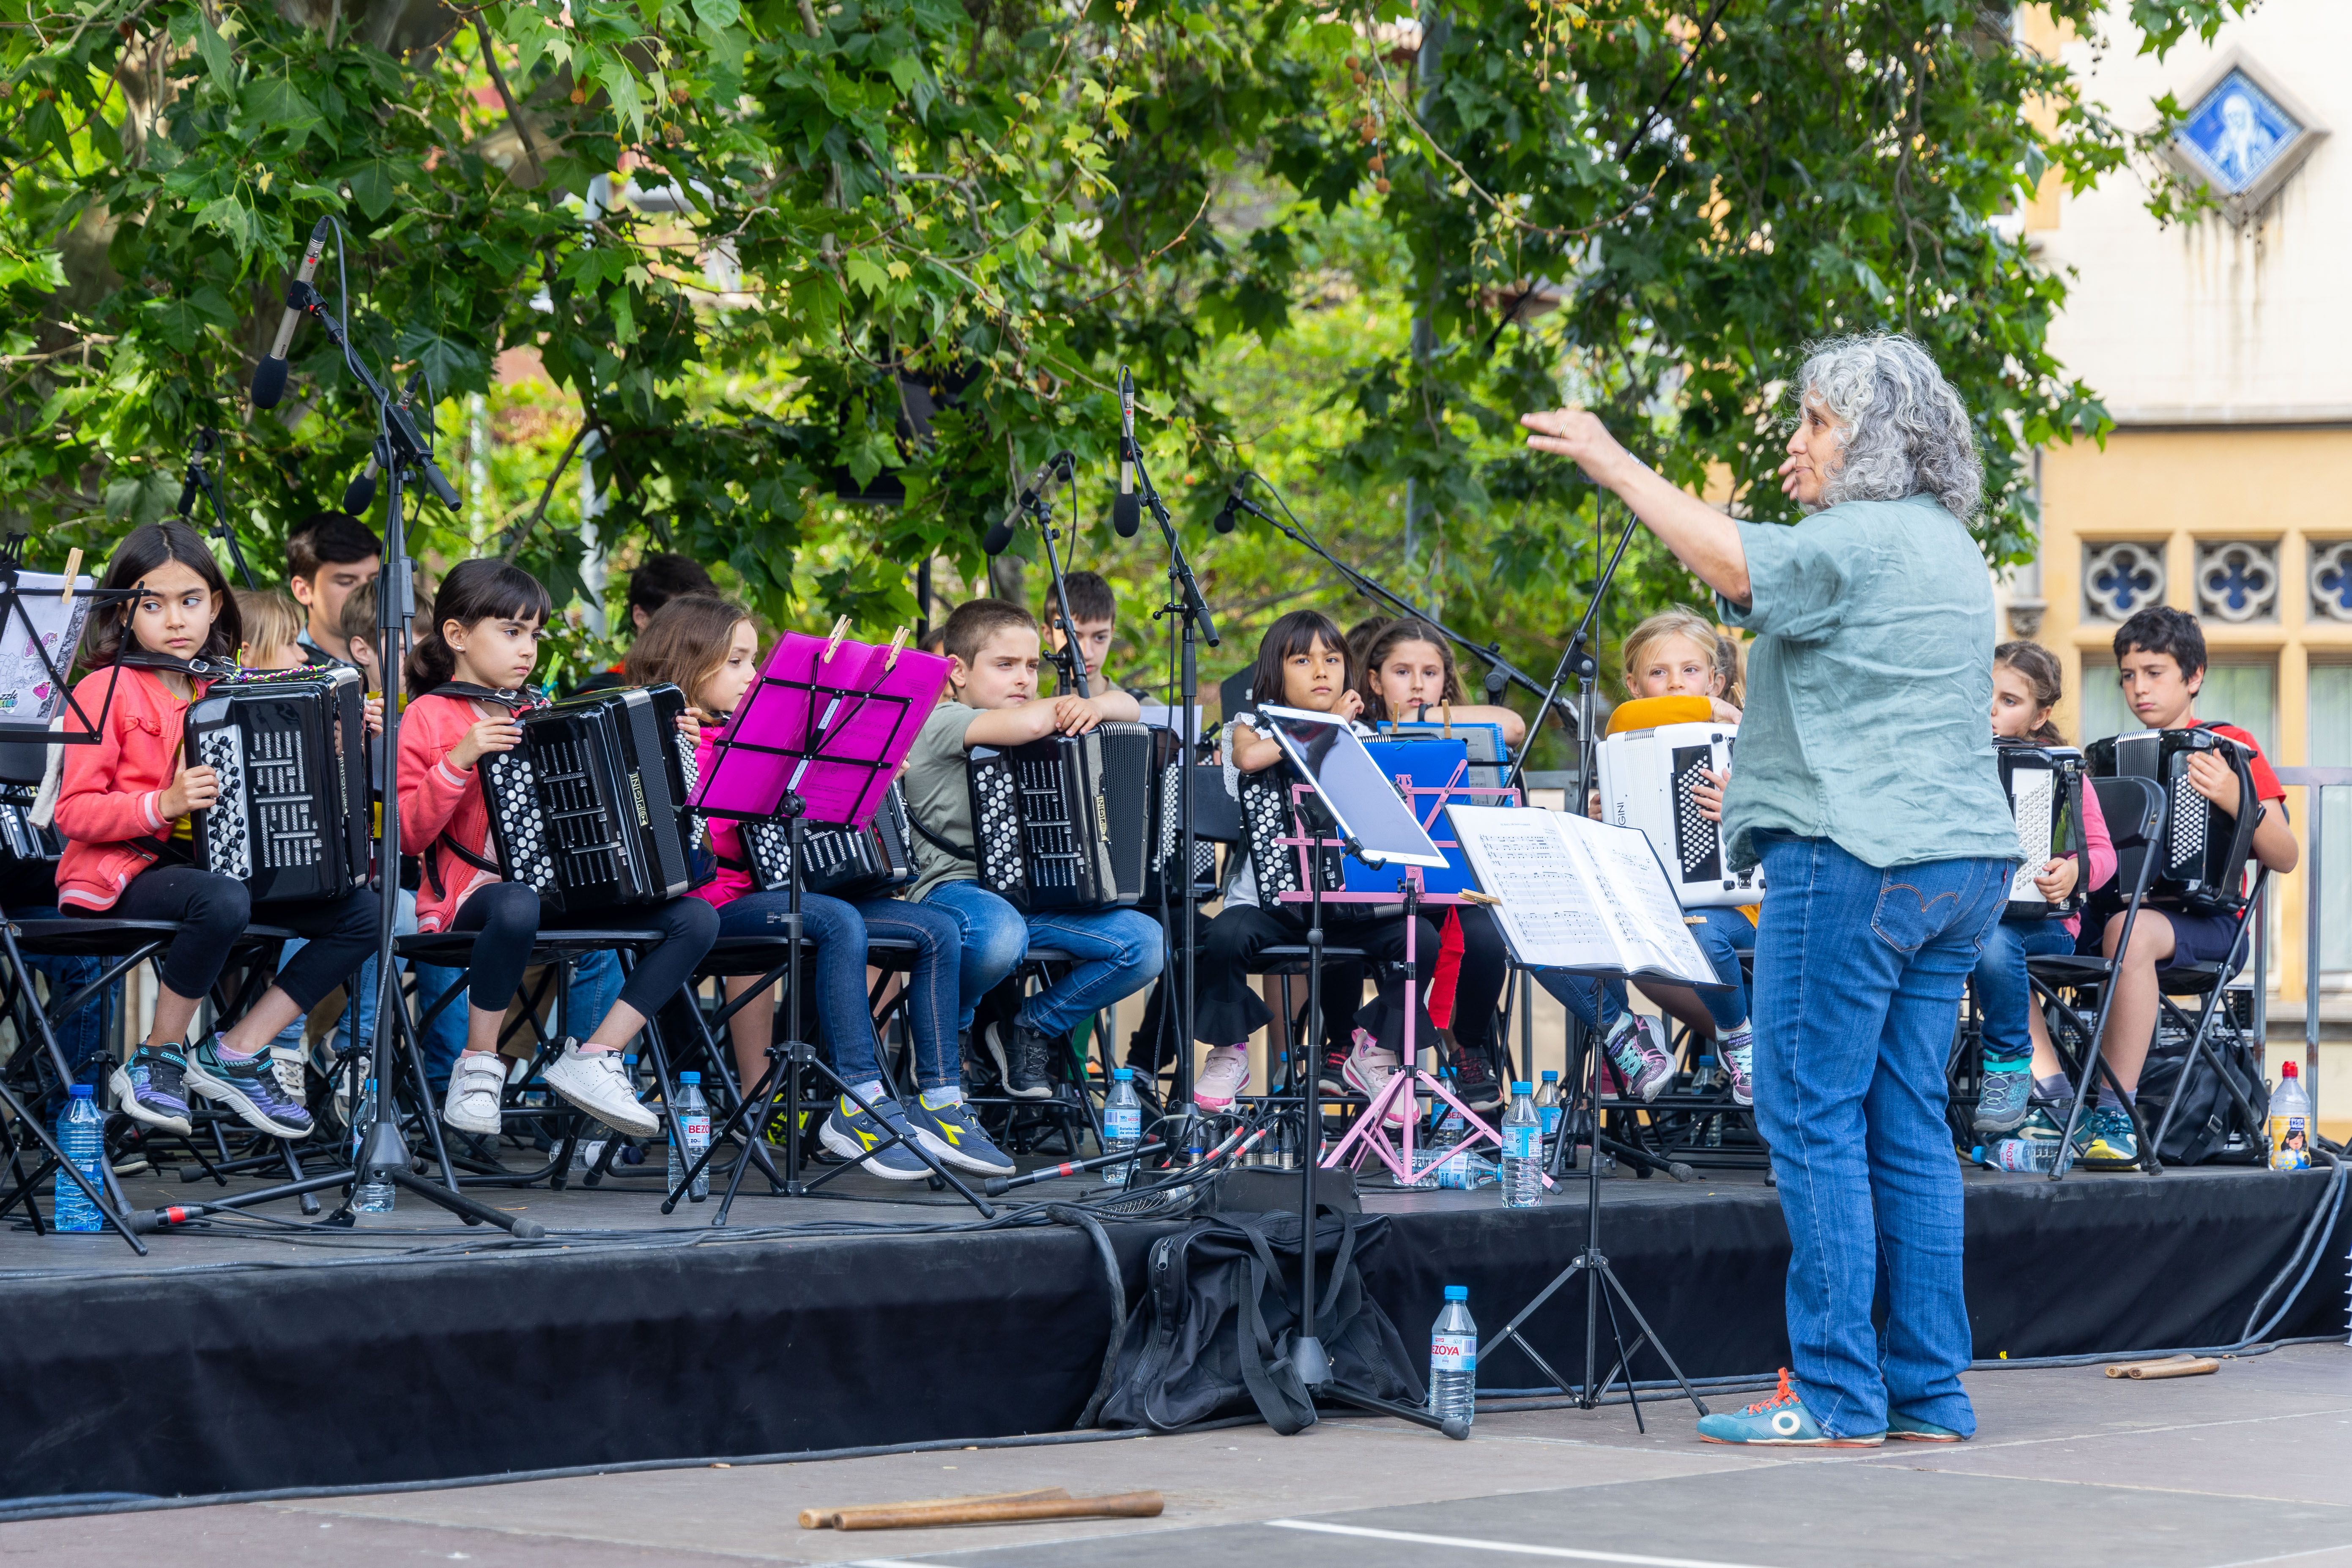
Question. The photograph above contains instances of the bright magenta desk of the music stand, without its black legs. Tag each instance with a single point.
(829, 721)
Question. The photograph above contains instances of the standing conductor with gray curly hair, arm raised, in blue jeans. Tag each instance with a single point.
(1866, 789)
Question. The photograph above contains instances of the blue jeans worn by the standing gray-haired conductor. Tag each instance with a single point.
(1859, 977)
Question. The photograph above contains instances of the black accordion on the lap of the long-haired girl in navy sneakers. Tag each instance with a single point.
(293, 819)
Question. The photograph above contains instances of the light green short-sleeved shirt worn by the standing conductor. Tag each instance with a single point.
(1869, 688)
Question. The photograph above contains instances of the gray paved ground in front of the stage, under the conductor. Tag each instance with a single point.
(2252, 1466)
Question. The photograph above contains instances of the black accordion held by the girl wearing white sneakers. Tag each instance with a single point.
(592, 810)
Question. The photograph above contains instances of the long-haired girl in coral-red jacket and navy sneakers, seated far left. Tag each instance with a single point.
(123, 810)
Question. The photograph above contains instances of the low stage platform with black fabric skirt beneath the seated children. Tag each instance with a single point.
(260, 1355)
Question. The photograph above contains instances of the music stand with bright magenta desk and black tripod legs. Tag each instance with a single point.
(815, 713)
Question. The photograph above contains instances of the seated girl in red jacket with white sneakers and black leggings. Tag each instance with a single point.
(472, 664)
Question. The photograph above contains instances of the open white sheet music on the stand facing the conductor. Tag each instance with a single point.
(1579, 894)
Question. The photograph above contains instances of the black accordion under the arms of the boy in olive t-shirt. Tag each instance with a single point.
(1067, 822)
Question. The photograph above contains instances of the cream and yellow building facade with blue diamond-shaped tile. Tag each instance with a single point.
(2224, 351)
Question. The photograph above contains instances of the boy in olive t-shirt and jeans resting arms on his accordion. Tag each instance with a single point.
(994, 678)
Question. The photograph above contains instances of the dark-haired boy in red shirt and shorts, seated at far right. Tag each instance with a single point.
(2163, 659)
